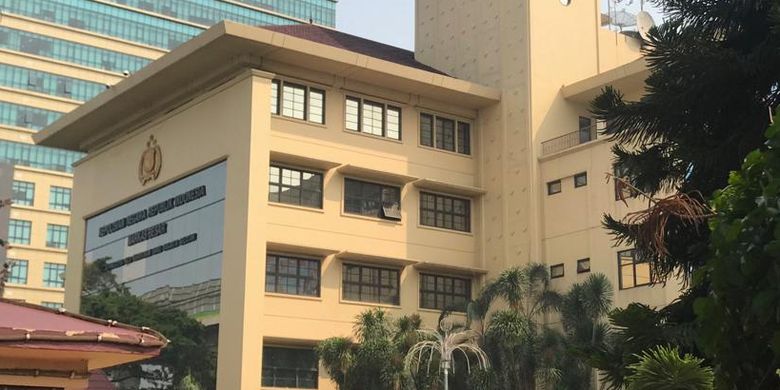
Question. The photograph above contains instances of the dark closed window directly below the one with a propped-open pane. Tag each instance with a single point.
(370, 284)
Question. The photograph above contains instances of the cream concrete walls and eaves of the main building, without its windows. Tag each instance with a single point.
(208, 101)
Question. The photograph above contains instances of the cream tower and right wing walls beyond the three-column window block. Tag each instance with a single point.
(549, 60)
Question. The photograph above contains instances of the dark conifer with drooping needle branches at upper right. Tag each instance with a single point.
(713, 74)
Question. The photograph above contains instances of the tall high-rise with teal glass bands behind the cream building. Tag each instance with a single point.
(54, 55)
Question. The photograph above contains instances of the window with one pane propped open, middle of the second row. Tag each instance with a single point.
(372, 199)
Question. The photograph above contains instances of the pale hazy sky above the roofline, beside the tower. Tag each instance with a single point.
(392, 21)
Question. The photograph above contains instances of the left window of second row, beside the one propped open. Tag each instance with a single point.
(295, 186)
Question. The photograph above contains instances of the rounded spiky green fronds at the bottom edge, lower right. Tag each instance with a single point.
(662, 368)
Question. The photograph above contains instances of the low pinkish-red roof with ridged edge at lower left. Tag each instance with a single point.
(24, 325)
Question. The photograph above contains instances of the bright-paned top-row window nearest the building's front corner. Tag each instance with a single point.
(298, 101)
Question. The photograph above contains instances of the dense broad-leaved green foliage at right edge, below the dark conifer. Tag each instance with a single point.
(740, 316)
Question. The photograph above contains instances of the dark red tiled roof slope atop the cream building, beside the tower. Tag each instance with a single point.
(353, 43)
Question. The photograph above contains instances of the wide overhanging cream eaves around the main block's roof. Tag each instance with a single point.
(221, 52)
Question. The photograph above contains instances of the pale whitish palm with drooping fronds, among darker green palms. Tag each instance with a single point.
(444, 344)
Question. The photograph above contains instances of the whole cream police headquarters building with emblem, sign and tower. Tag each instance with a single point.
(275, 182)
